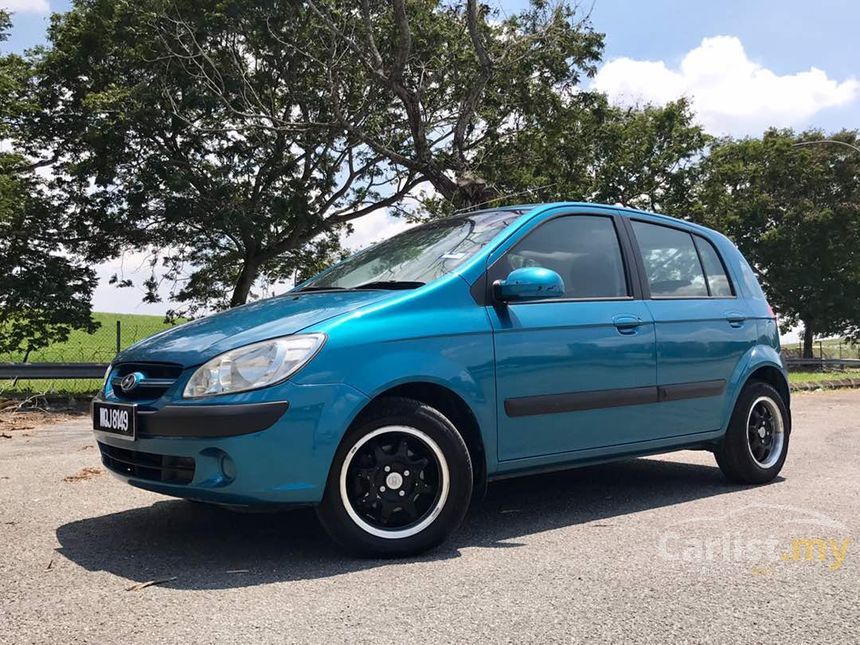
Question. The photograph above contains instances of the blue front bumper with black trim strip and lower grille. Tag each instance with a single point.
(242, 452)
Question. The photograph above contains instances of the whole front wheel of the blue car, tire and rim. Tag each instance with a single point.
(400, 482)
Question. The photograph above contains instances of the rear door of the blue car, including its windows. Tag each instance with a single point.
(702, 327)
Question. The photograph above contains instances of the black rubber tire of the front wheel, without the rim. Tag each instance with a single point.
(409, 413)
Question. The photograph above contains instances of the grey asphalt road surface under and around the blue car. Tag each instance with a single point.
(659, 549)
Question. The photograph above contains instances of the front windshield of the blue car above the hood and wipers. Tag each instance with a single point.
(416, 256)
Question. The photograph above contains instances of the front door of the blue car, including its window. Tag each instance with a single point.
(576, 372)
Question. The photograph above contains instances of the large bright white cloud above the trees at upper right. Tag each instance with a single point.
(730, 93)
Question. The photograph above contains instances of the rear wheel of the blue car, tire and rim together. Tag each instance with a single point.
(755, 445)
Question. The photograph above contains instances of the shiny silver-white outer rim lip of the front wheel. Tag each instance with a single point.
(444, 477)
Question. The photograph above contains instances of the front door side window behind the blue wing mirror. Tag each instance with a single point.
(584, 250)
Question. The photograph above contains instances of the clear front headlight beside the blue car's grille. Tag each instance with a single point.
(253, 366)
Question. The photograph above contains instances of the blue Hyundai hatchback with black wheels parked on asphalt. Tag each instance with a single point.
(390, 388)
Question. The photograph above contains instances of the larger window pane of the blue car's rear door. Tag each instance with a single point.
(671, 262)
